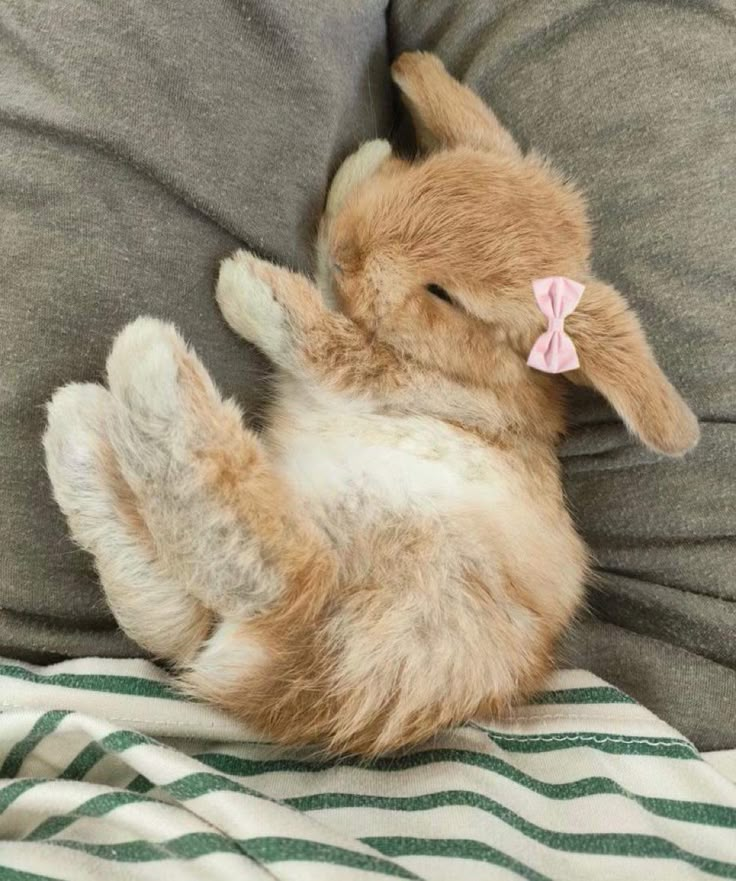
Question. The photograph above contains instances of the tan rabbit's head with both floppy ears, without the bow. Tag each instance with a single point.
(435, 257)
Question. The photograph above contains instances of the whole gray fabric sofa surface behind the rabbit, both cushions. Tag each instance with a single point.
(141, 142)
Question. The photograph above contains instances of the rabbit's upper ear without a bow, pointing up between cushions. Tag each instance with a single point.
(446, 113)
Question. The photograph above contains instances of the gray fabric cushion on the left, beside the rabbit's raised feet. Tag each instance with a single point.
(140, 143)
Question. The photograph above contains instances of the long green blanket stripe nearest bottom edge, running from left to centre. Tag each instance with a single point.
(261, 850)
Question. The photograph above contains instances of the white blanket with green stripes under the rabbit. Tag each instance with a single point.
(109, 774)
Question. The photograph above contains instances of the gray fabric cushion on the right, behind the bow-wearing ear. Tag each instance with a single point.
(637, 101)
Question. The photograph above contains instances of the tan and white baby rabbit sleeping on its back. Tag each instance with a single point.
(391, 554)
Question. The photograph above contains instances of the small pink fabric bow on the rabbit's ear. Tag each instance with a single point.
(554, 351)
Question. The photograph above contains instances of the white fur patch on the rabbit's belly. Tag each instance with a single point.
(344, 458)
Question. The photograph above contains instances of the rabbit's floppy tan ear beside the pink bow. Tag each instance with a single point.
(616, 359)
